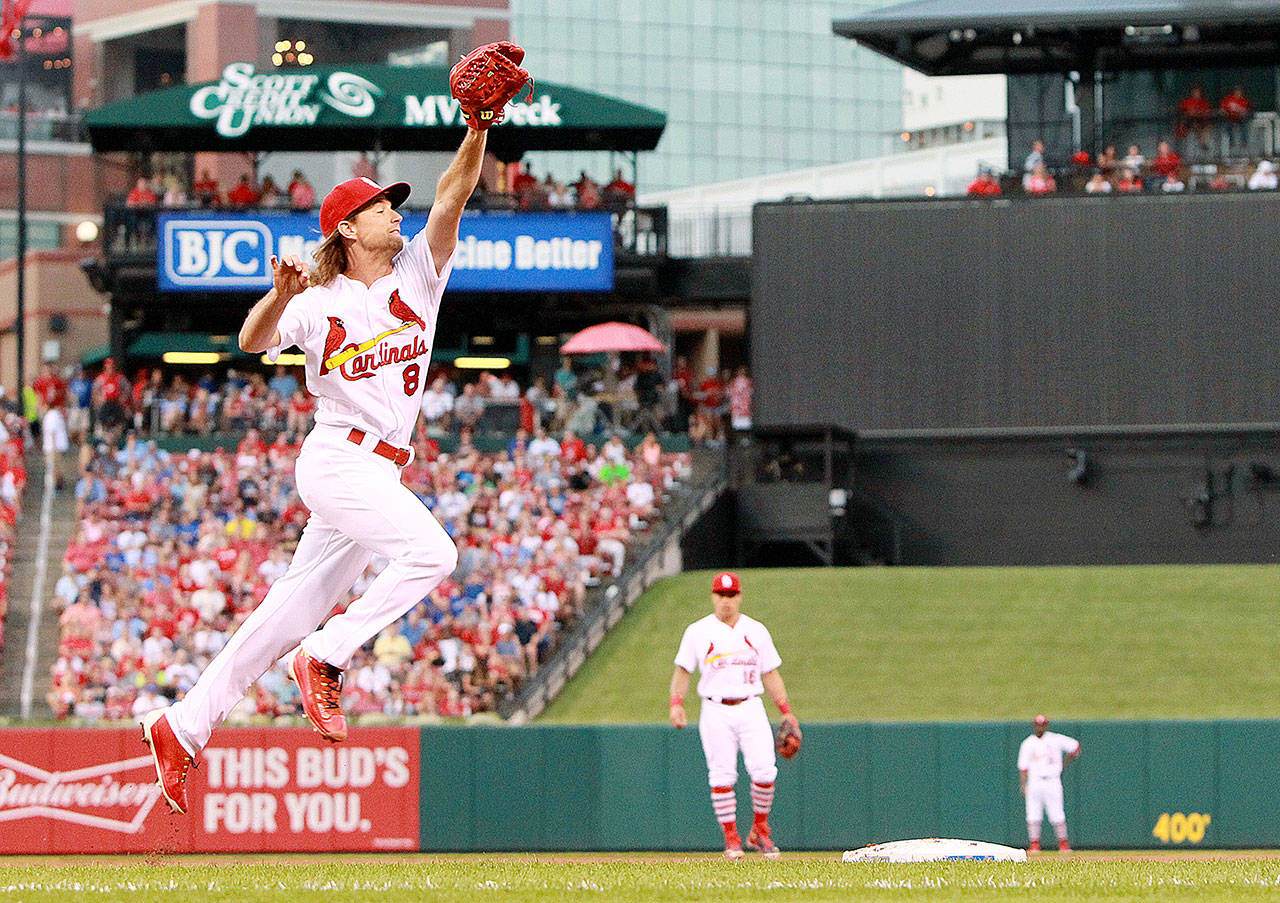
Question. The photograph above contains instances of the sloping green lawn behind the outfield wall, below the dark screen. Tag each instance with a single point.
(970, 644)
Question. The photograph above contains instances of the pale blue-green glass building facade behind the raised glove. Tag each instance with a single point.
(749, 86)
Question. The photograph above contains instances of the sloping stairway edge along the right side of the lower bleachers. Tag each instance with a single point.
(657, 558)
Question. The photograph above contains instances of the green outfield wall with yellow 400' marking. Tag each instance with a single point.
(1137, 785)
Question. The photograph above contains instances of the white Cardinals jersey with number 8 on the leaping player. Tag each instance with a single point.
(391, 323)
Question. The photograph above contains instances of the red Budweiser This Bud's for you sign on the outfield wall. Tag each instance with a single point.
(90, 791)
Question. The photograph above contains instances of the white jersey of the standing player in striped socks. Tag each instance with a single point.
(732, 659)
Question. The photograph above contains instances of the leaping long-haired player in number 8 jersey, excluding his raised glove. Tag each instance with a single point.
(365, 317)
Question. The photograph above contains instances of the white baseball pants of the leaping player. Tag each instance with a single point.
(359, 507)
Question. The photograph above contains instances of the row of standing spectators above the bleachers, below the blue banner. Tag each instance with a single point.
(634, 399)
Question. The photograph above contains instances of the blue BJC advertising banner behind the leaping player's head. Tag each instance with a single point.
(497, 253)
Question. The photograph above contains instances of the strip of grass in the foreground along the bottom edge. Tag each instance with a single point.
(815, 879)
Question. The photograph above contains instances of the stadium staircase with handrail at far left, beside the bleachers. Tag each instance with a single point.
(13, 659)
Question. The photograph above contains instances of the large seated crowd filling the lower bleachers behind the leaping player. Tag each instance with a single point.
(172, 553)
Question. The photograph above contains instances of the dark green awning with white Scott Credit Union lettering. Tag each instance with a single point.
(360, 107)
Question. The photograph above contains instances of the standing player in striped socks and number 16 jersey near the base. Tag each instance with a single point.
(738, 662)
